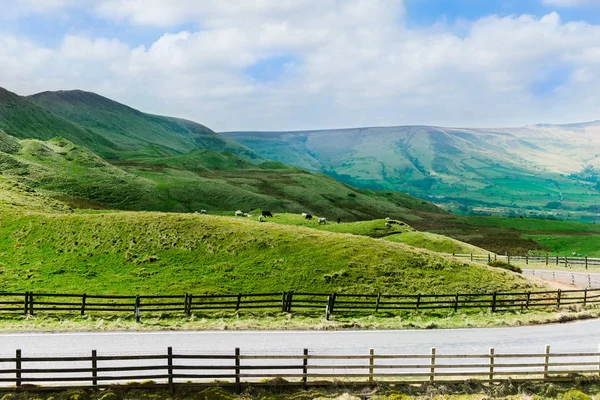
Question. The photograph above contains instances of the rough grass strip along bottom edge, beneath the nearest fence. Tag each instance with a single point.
(472, 390)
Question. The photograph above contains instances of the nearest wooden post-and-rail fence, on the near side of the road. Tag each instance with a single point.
(236, 369)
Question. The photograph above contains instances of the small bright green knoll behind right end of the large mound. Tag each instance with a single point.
(435, 242)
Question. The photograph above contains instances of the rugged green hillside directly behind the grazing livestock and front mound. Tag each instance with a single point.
(201, 179)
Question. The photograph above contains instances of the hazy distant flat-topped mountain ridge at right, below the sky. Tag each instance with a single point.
(547, 170)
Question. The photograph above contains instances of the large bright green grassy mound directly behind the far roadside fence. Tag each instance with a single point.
(174, 253)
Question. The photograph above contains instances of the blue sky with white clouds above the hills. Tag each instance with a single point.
(314, 64)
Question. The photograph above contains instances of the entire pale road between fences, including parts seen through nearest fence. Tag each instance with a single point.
(579, 337)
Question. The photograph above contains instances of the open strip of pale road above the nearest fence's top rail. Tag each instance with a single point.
(578, 336)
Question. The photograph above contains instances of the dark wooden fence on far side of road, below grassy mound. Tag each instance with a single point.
(30, 303)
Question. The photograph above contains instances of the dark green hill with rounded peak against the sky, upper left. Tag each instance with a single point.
(136, 134)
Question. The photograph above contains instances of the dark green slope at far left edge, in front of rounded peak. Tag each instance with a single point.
(22, 119)
